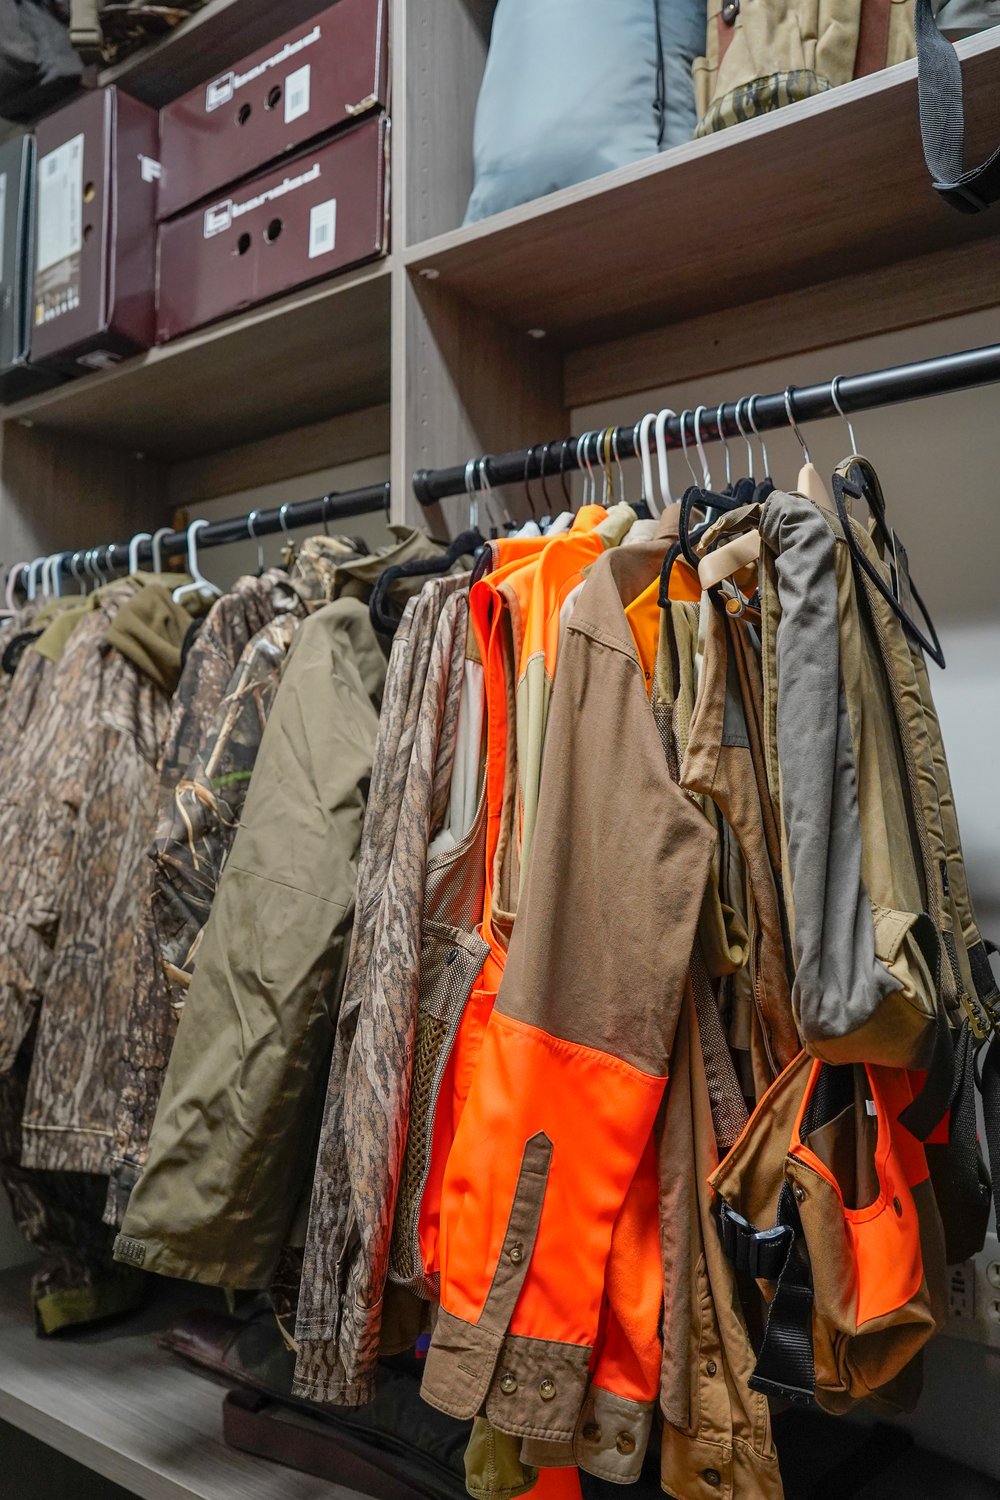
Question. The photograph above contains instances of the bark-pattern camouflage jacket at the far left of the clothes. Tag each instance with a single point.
(88, 770)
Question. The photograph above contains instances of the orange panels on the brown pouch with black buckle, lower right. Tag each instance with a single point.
(885, 1240)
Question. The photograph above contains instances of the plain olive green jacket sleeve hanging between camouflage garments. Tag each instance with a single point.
(236, 1124)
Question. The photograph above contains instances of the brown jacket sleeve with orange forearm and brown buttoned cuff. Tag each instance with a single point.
(575, 1058)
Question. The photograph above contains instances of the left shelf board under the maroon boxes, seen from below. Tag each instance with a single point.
(314, 355)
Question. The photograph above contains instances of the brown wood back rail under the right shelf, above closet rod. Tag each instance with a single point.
(930, 287)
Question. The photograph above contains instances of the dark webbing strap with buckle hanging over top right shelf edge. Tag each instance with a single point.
(944, 121)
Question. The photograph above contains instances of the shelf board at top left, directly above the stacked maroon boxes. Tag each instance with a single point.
(208, 44)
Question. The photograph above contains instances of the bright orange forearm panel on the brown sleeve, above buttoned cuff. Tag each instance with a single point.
(599, 1112)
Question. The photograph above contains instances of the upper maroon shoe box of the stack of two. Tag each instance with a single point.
(310, 82)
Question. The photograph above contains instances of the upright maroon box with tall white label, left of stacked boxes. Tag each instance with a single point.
(95, 232)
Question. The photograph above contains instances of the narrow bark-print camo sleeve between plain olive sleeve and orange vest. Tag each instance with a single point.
(365, 1126)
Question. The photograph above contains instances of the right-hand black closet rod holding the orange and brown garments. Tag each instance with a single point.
(855, 394)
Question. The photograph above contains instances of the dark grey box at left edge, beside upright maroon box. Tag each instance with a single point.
(17, 187)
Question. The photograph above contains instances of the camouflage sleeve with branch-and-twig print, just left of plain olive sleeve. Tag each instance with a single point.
(220, 712)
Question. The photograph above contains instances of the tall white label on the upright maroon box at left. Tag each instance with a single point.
(61, 230)
